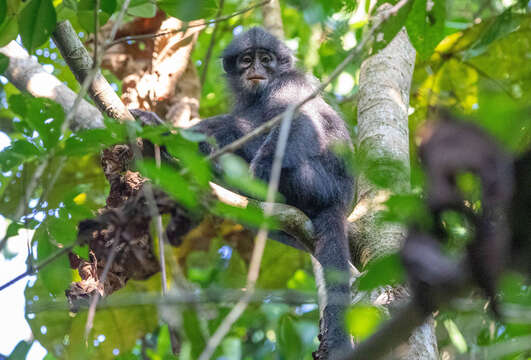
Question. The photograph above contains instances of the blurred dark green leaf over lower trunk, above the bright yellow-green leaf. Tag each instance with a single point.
(384, 271)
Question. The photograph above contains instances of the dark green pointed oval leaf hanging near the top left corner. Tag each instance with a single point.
(36, 22)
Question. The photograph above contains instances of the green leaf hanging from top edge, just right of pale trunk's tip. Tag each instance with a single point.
(425, 26)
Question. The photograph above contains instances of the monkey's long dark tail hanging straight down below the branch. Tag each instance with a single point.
(332, 252)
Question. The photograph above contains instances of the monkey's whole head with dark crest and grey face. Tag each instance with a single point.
(254, 59)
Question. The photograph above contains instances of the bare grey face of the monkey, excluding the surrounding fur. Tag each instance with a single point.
(257, 68)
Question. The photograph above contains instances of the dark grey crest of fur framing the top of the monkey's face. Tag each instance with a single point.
(257, 38)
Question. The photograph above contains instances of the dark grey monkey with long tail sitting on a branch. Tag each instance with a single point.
(263, 78)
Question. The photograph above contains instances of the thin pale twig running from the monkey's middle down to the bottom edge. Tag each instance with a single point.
(260, 241)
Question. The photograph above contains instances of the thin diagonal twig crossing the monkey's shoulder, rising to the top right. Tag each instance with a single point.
(348, 59)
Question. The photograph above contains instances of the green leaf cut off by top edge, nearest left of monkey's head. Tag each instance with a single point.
(188, 10)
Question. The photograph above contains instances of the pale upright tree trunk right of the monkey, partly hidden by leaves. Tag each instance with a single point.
(383, 141)
